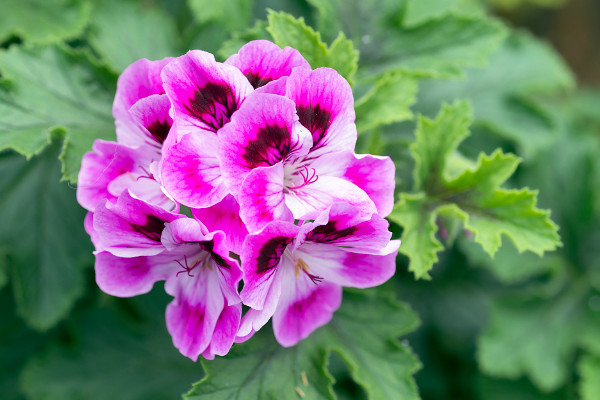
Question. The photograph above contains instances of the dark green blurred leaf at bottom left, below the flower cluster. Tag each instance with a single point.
(112, 357)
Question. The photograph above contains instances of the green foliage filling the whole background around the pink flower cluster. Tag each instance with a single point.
(478, 116)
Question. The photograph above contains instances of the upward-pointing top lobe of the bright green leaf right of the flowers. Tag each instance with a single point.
(435, 140)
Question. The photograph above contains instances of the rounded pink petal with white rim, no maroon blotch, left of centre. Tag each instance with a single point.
(191, 173)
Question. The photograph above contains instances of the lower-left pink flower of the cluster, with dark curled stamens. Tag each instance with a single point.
(139, 244)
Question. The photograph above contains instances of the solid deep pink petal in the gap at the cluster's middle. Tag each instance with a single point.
(224, 216)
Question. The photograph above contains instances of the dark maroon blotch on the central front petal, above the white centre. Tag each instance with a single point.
(271, 145)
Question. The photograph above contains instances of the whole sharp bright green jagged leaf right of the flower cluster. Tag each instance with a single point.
(472, 196)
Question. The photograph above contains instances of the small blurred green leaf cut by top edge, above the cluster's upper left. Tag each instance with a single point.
(231, 14)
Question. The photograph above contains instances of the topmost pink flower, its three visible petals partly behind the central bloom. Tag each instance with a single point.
(205, 94)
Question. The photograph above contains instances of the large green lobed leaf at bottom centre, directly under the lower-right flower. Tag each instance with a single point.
(363, 332)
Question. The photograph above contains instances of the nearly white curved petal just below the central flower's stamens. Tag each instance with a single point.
(327, 190)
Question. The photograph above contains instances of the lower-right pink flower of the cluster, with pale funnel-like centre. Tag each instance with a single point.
(295, 274)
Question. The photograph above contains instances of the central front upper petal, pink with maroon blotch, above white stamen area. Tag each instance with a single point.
(262, 133)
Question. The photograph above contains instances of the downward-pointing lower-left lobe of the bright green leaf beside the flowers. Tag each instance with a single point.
(419, 243)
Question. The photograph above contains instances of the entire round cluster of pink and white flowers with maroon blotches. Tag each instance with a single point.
(259, 152)
